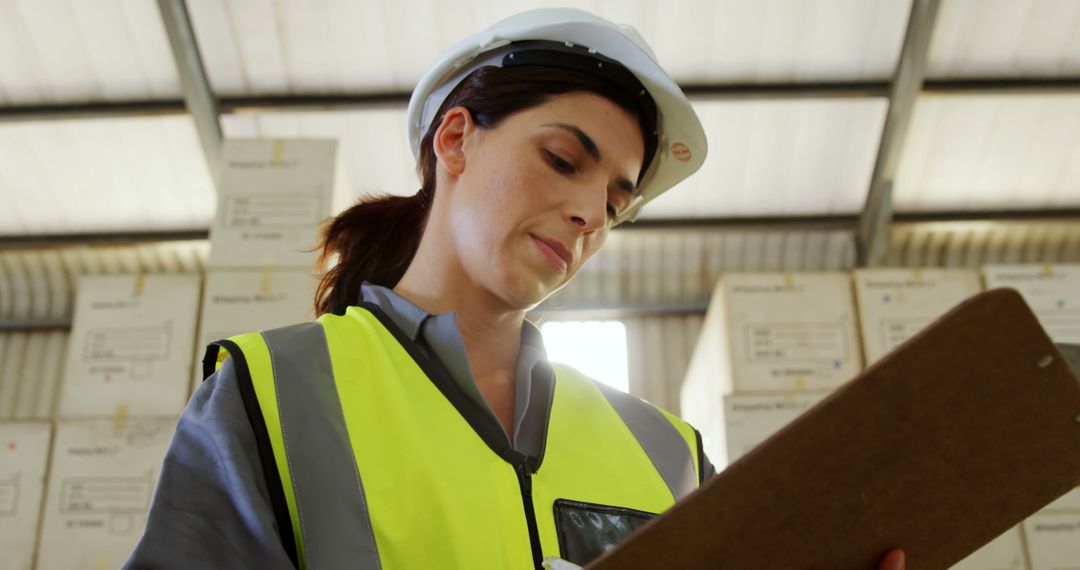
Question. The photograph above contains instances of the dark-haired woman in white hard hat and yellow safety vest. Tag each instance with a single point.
(417, 423)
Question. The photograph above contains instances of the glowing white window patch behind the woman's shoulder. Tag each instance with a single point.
(596, 348)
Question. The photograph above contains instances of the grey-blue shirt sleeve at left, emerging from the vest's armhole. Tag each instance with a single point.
(211, 508)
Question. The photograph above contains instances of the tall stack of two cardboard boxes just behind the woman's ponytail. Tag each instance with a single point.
(273, 198)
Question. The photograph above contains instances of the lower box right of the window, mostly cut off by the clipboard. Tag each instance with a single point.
(750, 419)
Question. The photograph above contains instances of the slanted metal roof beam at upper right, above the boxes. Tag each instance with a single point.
(872, 235)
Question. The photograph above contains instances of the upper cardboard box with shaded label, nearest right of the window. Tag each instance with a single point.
(773, 333)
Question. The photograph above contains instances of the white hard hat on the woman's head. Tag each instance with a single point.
(681, 141)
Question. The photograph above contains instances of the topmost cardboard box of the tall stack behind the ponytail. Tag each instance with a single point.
(272, 199)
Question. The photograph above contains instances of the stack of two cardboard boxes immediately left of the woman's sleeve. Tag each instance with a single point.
(126, 382)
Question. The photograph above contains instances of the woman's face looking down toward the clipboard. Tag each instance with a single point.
(535, 197)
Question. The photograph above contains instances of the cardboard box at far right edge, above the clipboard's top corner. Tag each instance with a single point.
(1051, 291)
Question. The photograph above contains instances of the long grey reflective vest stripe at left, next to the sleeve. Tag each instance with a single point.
(330, 498)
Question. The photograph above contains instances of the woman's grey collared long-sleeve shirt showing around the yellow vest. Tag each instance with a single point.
(212, 508)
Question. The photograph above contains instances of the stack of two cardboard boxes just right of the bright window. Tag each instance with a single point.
(772, 347)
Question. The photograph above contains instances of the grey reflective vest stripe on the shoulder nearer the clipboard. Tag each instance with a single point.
(659, 439)
